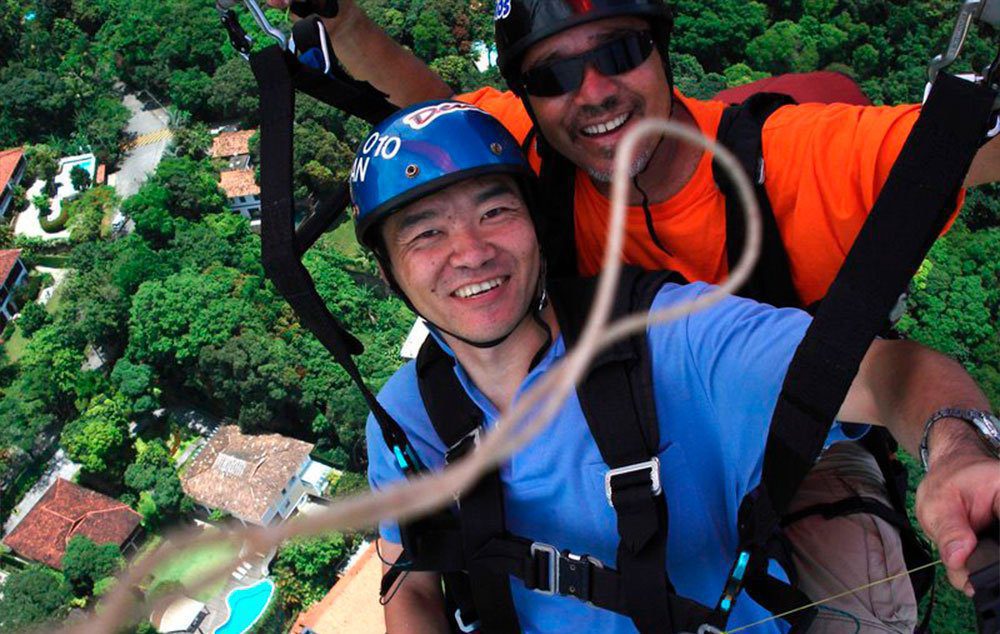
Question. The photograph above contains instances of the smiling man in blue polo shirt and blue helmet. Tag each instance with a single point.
(440, 193)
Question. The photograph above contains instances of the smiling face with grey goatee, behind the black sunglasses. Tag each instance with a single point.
(587, 124)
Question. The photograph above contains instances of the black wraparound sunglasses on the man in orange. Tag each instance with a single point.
(615, 57)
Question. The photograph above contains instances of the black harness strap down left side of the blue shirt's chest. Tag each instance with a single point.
(458, 423)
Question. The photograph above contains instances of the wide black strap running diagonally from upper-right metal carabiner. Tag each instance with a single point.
(908, 216)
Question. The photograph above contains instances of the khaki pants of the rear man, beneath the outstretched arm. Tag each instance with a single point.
(838, 554)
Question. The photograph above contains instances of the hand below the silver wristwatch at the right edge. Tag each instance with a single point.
(959, 497)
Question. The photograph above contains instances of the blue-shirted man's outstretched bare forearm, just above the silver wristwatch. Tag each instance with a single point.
(901, 384)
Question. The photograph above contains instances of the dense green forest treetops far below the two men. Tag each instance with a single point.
(181, 308)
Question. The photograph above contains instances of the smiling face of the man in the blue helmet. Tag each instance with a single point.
(467, 257)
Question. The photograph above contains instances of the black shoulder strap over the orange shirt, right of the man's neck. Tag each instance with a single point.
(740, 131)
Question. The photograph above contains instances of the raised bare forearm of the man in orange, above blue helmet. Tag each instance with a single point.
(371, 55)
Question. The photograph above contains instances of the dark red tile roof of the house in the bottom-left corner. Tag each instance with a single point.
(67, 510)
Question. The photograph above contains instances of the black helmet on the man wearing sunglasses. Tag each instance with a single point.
(521, 23)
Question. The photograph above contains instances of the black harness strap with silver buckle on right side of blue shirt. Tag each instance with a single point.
(617, 400)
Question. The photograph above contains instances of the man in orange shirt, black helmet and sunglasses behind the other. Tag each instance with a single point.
(584, 72)
